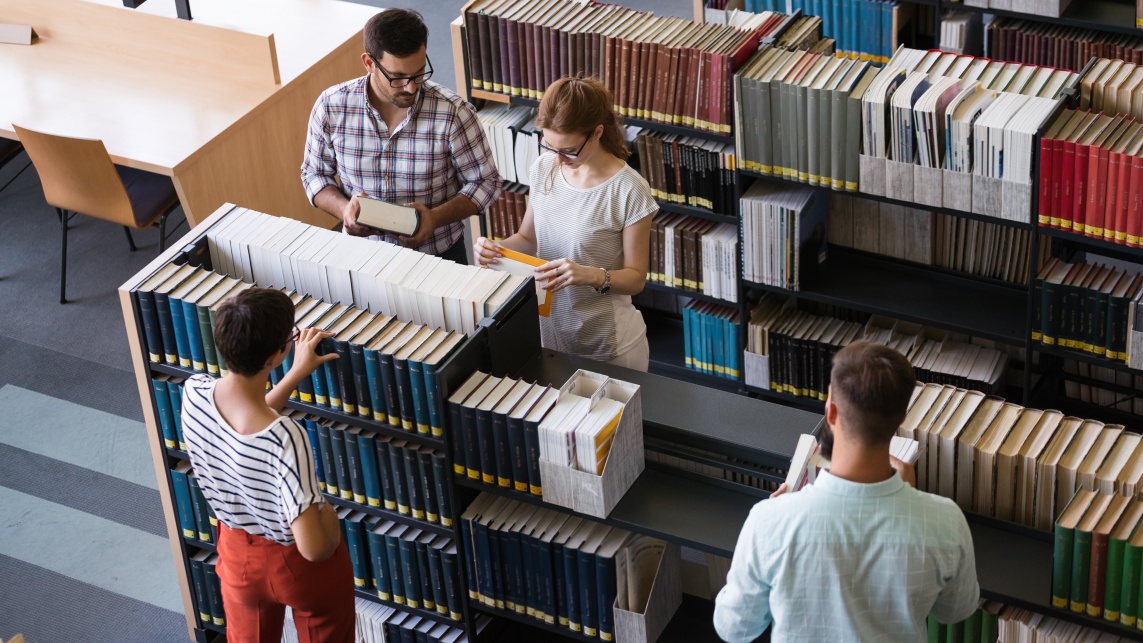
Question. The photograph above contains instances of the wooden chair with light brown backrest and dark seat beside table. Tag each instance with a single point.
(79, 178)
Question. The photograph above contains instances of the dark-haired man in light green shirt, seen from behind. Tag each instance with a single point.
(861, 556)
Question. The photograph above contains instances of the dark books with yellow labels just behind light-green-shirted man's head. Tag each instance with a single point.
(800, 348)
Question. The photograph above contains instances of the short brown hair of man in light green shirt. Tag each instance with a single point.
(872, 385)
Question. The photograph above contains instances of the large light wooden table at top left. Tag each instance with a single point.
(220, 105)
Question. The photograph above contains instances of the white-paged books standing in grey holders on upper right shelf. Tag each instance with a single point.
(961, 114)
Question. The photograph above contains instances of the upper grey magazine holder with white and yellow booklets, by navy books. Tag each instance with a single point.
(597, 495)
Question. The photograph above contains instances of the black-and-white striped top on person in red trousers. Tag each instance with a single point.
(258, 483)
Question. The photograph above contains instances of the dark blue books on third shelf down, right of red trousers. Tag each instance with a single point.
(403, 565)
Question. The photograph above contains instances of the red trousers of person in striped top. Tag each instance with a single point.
(261, 577)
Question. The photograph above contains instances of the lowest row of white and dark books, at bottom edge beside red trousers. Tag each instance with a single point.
(381, 624)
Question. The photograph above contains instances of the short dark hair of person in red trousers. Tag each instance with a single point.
(253, 326)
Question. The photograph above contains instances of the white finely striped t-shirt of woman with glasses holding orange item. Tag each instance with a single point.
(586, 226)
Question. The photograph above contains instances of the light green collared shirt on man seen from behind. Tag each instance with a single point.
(845, 561)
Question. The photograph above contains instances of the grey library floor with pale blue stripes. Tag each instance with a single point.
(84, 553)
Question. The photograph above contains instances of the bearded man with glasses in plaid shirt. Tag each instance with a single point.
(395, 136)
